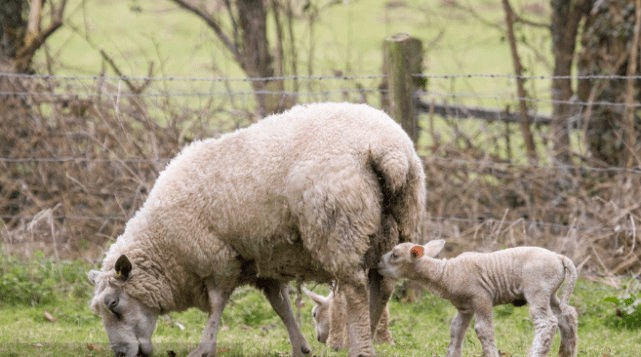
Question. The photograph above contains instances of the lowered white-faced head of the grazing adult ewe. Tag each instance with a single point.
(129, 322)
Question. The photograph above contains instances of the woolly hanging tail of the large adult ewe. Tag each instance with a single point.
(402, 180)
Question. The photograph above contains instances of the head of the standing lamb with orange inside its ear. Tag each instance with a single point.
(398, 262)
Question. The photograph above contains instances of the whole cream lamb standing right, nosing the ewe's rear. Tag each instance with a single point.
(475, 282)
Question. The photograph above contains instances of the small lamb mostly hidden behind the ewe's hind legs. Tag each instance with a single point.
(330, 320)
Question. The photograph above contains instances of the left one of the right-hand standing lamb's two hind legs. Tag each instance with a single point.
(544, 328)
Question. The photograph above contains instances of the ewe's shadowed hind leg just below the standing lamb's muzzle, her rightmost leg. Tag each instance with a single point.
(380, 290)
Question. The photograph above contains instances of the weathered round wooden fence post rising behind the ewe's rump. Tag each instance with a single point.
(403, 56)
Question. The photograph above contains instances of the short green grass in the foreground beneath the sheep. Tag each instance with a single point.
(251, 328)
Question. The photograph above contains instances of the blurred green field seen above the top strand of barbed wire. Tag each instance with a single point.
(347, 38)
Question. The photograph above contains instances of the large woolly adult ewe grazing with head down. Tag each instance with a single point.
(316, 193)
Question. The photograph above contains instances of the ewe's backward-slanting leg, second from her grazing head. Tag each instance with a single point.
(278, 296)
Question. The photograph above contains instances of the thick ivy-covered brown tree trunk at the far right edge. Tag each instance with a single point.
(606, 47)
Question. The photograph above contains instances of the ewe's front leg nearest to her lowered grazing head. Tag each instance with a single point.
(217, 300)
